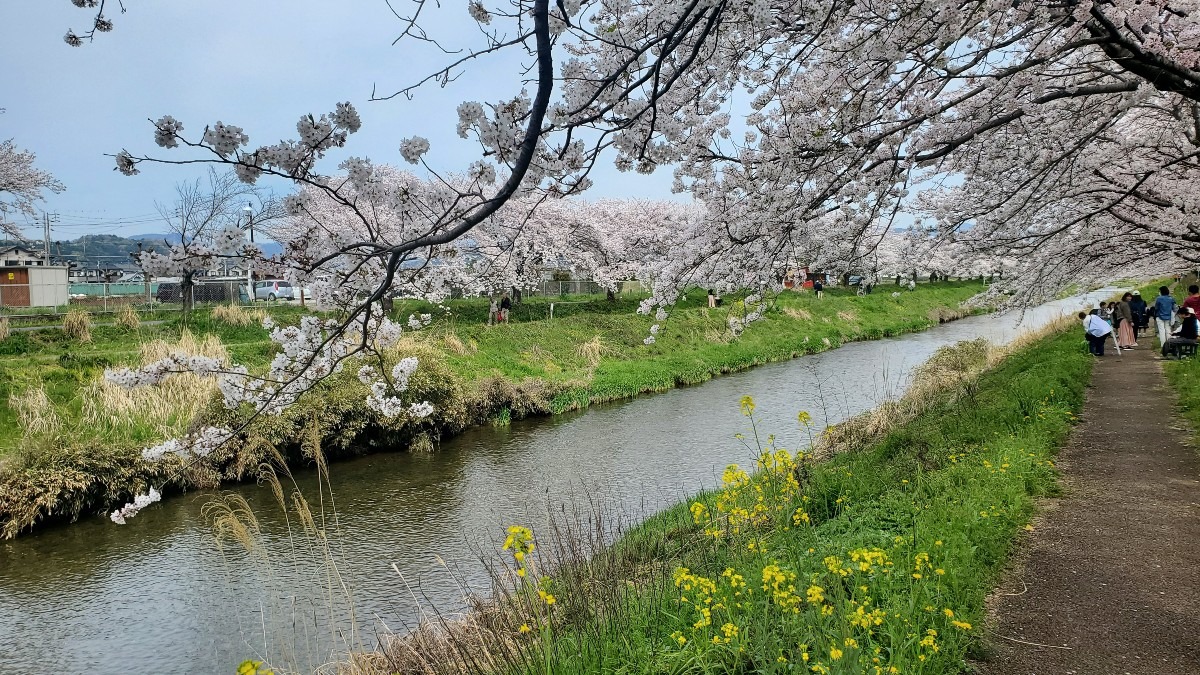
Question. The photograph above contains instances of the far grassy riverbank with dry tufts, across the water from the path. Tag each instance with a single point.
(79, 457)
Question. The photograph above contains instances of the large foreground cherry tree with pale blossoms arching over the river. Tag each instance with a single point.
(1061, 135)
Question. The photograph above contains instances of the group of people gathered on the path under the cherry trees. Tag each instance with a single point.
(1125, 320)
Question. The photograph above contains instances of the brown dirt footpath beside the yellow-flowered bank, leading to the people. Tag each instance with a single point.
(1113, 570)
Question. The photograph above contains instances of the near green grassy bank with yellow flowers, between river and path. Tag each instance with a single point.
(877, 561)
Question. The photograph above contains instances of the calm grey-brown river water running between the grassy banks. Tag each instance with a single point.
(160, 595)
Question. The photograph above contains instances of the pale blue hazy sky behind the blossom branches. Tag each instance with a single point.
(260, 65)
